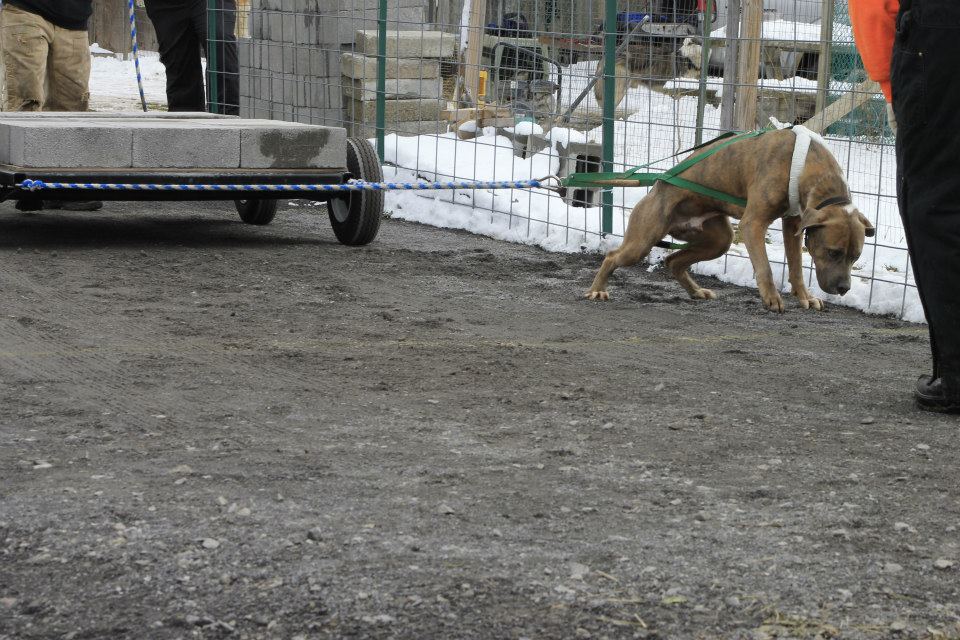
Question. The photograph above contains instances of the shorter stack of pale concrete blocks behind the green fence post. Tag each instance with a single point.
(413, 87)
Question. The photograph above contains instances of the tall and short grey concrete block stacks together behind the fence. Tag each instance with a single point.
(314, 61)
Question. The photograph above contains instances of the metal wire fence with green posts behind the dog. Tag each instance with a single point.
(519, 89)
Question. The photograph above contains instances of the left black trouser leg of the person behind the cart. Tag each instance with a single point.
(180, 55)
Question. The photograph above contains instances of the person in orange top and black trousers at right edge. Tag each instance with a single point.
(911, 47)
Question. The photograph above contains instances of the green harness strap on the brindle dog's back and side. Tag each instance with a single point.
(671, 176)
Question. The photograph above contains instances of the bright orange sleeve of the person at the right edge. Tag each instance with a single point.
(874, 24)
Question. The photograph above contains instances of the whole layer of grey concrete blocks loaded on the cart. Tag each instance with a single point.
(174, 141)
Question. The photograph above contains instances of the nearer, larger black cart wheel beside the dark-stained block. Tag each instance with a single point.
(356, 218)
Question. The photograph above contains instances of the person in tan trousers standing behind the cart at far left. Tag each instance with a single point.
(47, 58)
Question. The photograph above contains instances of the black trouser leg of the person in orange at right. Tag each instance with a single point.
(926, 94)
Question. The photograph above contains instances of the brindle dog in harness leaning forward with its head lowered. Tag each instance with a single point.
(756, 169)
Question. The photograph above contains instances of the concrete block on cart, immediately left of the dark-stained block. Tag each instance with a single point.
(185, 145)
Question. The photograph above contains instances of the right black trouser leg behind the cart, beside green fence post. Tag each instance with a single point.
(227, 71)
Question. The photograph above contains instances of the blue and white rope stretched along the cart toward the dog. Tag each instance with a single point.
(353, 185)
